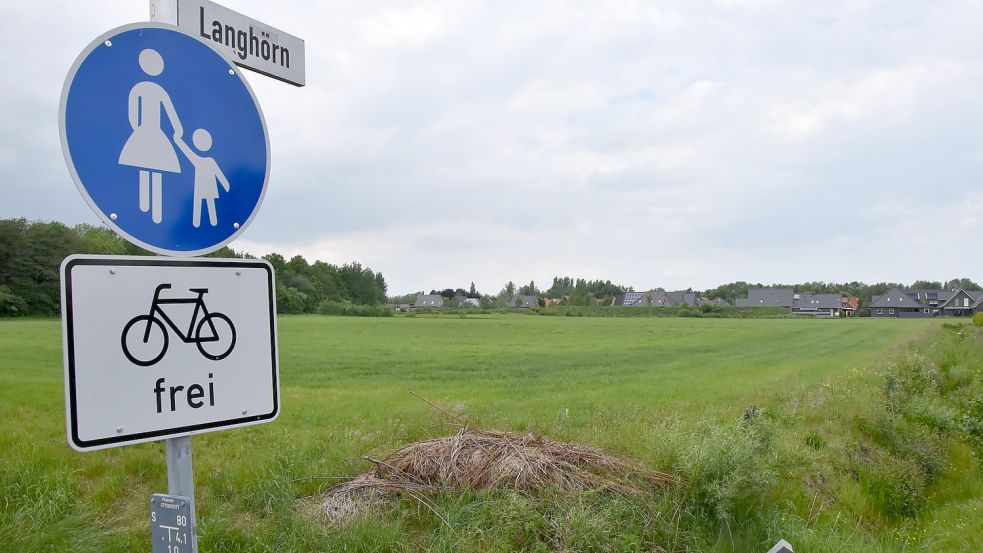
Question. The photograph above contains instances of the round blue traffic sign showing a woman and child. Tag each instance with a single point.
(164, 139)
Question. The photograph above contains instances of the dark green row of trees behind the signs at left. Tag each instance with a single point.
(32, 251)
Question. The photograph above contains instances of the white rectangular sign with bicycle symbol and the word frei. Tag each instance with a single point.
(162, 347)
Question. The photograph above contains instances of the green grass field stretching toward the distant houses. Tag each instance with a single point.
(646, 388)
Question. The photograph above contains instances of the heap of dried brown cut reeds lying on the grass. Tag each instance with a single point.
(479, 459)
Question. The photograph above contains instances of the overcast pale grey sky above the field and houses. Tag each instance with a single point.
(674, 144)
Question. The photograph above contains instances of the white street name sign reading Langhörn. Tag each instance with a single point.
(249, 43)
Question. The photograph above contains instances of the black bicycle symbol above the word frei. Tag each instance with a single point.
(215, 335)
